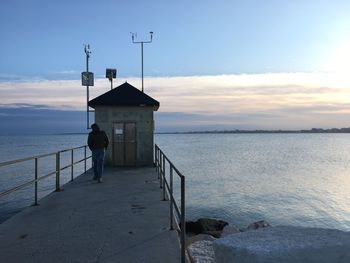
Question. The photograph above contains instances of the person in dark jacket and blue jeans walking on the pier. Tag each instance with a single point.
(98, 143)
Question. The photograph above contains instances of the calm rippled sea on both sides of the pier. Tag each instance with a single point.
(295, 179)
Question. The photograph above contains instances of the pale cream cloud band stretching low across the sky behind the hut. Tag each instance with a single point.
(272, 100)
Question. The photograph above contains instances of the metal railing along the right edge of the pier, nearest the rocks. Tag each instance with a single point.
(168, 192)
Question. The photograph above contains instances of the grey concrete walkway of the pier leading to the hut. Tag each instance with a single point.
(121, 219)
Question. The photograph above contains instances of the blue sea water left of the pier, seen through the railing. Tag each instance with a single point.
(18, 147)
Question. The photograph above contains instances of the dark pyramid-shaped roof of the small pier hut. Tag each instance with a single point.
(124, 95)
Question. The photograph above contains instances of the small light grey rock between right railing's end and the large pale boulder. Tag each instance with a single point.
(201, 252)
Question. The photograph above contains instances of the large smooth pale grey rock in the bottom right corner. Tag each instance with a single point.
(284, 244)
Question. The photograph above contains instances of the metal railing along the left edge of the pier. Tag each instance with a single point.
(56, 172)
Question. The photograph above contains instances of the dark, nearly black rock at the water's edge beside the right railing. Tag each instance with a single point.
(207, 226)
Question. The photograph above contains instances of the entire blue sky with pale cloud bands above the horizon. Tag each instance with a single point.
(211, 65)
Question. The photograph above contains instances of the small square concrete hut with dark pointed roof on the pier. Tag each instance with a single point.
(126, 115)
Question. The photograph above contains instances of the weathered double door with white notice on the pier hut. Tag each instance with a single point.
(124, 144)
